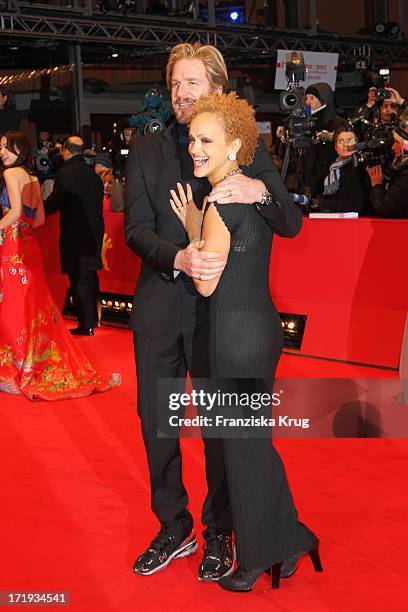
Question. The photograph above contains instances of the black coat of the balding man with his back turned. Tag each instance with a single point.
(78, 195)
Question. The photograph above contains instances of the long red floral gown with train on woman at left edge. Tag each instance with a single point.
(38, 356)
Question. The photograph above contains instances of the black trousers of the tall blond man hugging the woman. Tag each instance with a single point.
(170, 356)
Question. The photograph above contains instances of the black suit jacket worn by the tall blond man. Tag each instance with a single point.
(154, 232)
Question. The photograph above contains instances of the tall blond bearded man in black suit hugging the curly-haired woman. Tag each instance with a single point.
(169, 318)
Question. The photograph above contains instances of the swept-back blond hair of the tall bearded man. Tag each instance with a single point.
(210, 56)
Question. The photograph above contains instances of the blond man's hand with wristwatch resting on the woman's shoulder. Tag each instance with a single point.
(238, 188)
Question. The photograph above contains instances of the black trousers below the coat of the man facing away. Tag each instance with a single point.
(85, 287)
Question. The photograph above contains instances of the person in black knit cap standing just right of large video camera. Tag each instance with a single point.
(321, 155)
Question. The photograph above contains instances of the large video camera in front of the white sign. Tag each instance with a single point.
(300, 123)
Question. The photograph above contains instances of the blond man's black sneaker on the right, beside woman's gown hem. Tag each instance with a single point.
(218, 559)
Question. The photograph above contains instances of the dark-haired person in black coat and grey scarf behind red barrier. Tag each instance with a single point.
(344, 185)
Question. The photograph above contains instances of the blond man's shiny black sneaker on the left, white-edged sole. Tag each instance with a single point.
(162, 550)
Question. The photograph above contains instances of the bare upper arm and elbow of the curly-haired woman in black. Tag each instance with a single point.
(216, 239)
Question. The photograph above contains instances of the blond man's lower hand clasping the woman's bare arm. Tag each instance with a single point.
(203, 265)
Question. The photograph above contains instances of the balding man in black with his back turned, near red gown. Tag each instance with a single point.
(78, 195)
